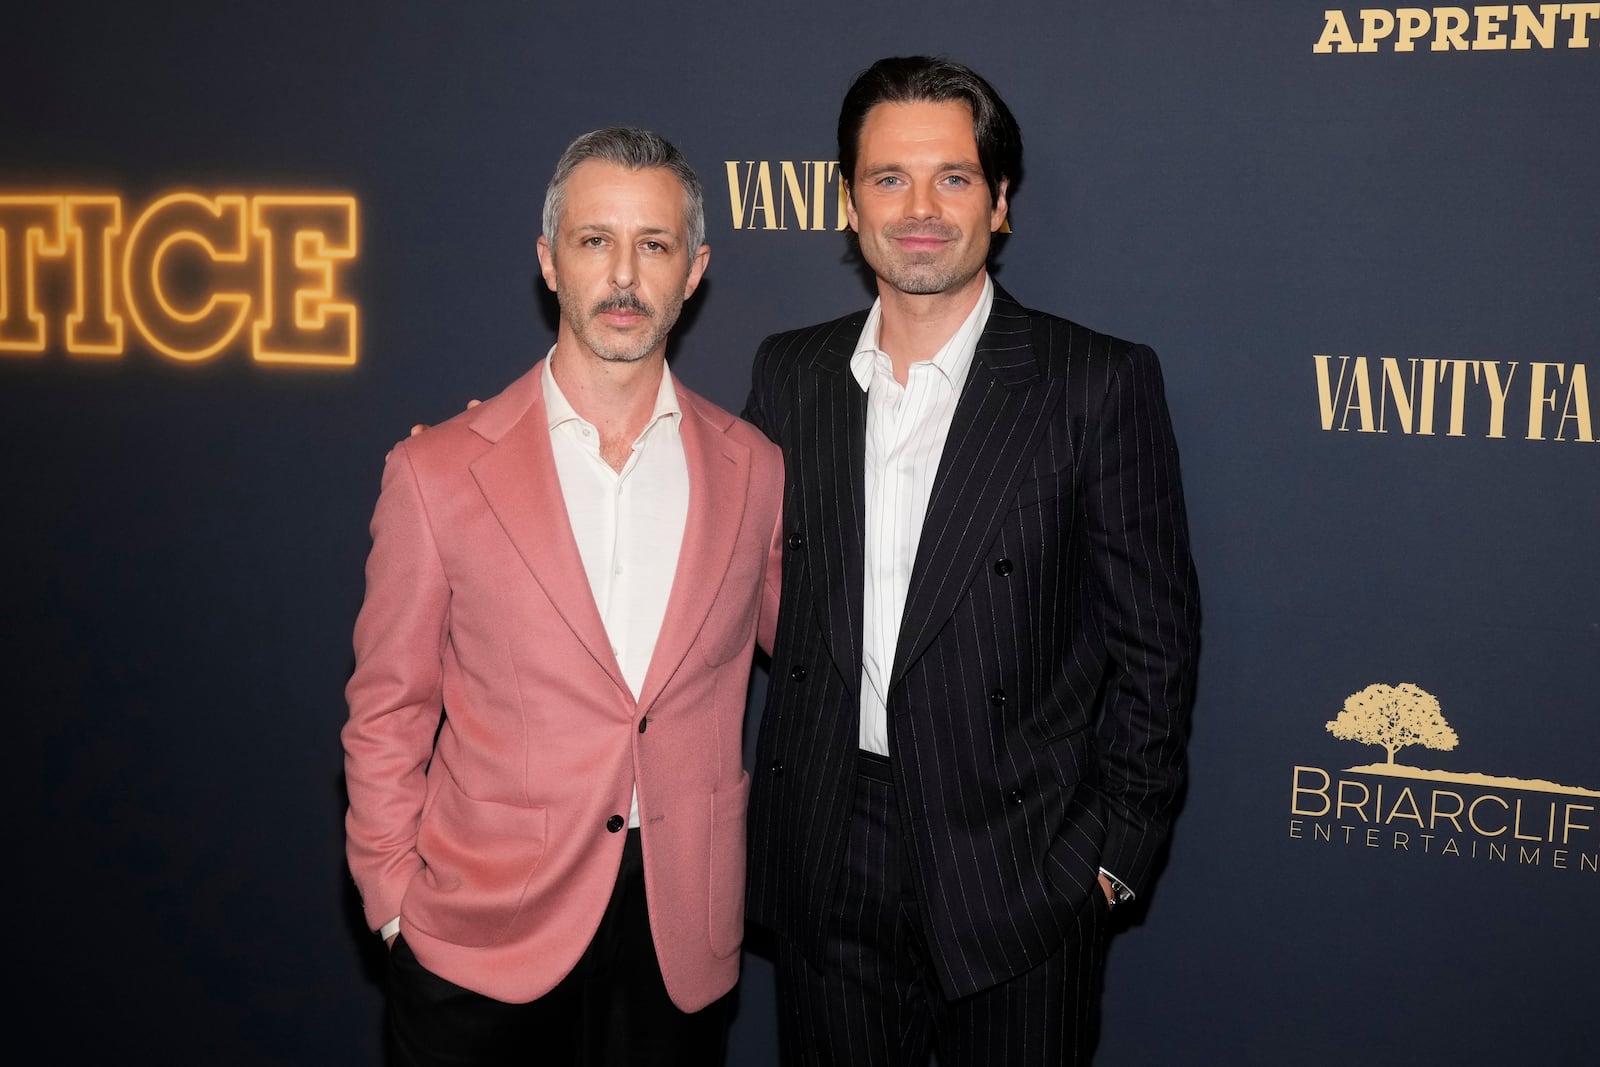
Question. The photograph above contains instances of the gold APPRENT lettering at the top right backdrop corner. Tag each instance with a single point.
(1484, 28)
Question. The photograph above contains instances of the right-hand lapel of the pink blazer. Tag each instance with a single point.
(719, 481)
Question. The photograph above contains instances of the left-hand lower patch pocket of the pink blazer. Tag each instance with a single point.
(479, 861)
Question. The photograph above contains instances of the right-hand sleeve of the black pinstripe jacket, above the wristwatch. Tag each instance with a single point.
(1150, 612)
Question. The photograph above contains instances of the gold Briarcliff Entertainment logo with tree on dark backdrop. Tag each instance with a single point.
(1447, 815)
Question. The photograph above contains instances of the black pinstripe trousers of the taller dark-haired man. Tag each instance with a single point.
(876, 1001)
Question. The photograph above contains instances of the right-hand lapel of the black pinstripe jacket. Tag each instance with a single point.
(994, 434)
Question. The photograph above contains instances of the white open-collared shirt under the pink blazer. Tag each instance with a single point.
(628, 524)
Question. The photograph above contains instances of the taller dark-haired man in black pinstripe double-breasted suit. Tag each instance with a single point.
(975, 732)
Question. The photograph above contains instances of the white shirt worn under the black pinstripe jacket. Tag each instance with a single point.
(906, 431)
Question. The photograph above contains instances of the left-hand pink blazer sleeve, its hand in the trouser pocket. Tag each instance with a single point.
(396, 693)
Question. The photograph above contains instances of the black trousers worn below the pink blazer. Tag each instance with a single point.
(610, 1012)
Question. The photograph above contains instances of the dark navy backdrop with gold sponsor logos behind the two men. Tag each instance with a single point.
(246, 247)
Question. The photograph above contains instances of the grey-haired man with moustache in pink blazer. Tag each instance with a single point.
(562, 599)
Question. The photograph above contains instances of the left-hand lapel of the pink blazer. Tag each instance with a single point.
(521, 486)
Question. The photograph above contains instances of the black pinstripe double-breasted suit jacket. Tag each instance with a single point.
(1044, 674)
